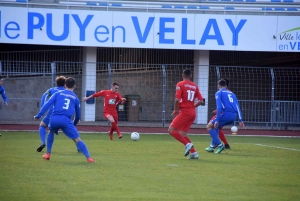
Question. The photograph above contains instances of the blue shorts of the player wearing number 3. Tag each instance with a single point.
(65, 124)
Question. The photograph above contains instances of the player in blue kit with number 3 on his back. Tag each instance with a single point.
(65, 103)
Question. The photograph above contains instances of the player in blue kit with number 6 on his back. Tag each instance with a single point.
(227, 110)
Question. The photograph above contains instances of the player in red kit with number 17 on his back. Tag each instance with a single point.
(186, 93)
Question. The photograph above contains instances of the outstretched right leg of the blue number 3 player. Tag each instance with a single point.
(70, 131)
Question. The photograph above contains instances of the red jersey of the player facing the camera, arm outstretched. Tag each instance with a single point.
(111, 99)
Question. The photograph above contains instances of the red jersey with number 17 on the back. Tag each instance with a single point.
(187, 92)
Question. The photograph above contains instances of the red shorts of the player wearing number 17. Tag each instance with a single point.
(184, 120)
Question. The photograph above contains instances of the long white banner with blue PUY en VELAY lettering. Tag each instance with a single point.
(149, 30)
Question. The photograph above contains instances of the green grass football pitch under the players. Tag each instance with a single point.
(152, 168)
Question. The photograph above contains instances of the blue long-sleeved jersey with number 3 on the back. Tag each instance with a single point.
(65, 103)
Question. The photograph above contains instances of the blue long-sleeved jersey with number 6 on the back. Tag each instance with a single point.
(227, 103)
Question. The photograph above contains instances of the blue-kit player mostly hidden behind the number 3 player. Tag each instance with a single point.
(60, 83)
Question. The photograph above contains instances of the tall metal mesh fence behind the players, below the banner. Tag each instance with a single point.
(269, 97)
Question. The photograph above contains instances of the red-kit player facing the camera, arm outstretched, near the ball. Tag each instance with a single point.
(111, 98)
